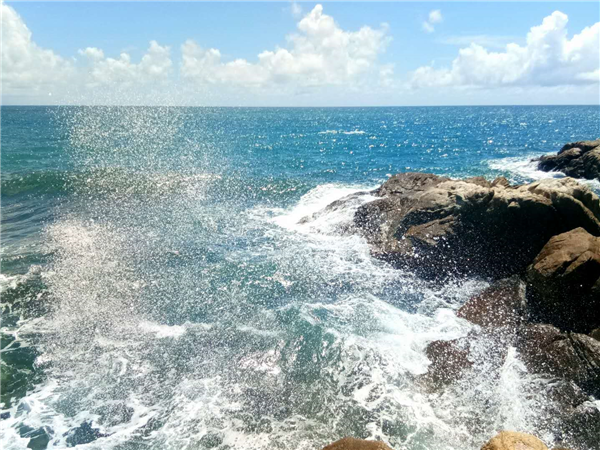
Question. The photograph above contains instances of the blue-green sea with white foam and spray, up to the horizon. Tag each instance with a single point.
(159, 292)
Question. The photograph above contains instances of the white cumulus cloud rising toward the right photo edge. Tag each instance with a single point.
(549, 58)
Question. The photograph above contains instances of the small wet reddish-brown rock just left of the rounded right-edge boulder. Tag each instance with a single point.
(503, 304)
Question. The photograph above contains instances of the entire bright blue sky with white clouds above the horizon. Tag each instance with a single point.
(300, 53)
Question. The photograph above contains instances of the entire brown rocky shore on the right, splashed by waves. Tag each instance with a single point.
(538, 245)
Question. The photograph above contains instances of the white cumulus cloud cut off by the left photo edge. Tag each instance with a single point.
(26, 66)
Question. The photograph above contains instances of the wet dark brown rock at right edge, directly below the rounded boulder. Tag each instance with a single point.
(572, 357)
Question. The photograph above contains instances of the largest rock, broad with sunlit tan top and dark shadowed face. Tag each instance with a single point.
(438, 227)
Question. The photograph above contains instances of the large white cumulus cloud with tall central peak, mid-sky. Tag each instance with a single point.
(320, 54)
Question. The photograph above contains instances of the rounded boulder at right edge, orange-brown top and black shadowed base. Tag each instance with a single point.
(563, 281)
